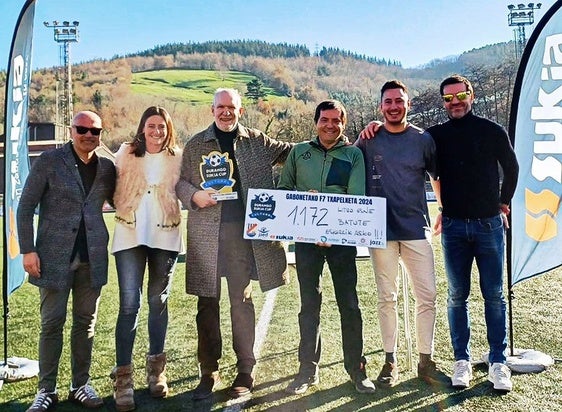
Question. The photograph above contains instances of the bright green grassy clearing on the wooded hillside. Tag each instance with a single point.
(193, 86)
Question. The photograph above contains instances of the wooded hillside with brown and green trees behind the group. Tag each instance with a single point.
(294, 81)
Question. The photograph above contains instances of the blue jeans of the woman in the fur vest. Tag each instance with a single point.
(131, 265)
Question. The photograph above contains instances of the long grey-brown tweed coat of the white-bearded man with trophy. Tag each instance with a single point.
(255, 154)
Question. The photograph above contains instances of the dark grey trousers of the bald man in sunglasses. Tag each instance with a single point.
(53, 316)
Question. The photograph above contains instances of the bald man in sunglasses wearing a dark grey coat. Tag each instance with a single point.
(70, 185)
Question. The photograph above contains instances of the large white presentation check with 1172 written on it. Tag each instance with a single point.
(316, 217)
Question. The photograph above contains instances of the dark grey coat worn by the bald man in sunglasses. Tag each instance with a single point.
(54, 184)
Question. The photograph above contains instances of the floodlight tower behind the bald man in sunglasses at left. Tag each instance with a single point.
(64, 34)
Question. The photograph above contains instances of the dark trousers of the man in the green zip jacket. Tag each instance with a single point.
(341, 261)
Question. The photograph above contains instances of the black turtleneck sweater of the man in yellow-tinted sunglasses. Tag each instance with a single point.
(468, 152)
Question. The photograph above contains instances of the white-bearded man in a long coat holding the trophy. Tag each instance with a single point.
(215, 244)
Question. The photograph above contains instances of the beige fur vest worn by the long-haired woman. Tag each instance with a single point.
(131, 186)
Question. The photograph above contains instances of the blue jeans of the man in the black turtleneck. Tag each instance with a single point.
(466, 240)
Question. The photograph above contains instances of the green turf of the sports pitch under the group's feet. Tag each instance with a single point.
(537, 325)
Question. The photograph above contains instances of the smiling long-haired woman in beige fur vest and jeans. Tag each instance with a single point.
(147, 230)
